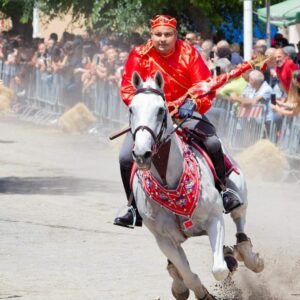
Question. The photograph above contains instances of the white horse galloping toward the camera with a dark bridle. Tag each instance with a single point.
(152, 128)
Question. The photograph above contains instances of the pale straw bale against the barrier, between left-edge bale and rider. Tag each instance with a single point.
(76, 119)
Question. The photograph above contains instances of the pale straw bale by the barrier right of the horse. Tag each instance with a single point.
(263, 161)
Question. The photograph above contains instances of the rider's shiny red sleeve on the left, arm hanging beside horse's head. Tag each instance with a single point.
(127, 89)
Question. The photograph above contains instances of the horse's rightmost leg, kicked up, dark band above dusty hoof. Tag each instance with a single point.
(243, 248)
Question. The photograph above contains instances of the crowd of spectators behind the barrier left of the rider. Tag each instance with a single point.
(81, 59)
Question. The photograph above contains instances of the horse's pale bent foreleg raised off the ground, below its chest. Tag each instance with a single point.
(216, 233)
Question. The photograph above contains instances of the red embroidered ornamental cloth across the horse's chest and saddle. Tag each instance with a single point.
(182, 200)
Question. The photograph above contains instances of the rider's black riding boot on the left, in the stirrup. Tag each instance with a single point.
(128, 219)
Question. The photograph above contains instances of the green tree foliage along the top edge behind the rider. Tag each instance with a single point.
(121, 17)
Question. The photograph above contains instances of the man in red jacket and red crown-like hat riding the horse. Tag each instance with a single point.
(182, 68)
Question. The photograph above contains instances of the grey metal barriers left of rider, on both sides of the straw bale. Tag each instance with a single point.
(41, 98)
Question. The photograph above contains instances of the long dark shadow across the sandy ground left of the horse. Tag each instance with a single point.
(55, 185)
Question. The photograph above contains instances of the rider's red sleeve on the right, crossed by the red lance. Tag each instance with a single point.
(200, 73)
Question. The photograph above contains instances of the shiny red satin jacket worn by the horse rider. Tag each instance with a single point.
(181, 70)
